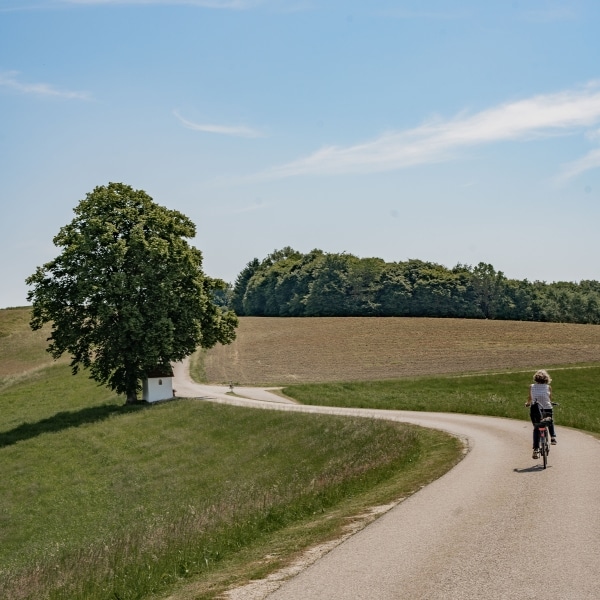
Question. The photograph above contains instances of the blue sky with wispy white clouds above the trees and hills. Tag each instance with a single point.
(454, 131)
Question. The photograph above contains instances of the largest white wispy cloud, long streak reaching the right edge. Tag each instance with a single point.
(436, 141)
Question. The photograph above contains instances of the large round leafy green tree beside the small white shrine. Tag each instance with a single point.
(127, 295)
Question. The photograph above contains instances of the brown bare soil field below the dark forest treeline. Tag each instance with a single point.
(278, 351)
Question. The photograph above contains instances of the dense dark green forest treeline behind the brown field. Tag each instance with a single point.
(288, 283)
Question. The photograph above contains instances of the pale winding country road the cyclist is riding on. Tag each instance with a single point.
(496, 526)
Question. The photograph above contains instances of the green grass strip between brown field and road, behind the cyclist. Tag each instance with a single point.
(575, 388)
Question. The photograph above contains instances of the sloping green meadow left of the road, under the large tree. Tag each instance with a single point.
(99, 500)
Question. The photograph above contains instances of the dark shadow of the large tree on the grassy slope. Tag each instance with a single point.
(64, 420)
